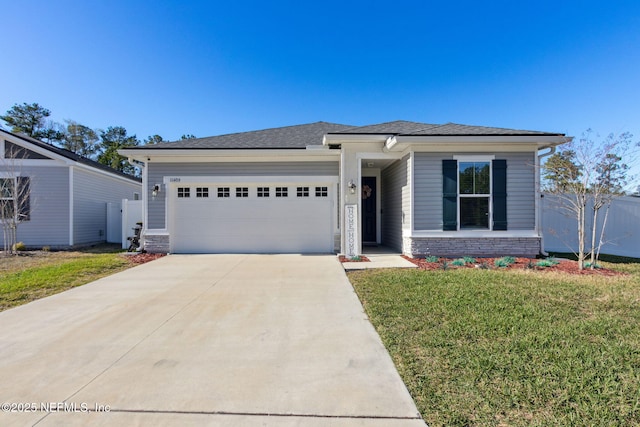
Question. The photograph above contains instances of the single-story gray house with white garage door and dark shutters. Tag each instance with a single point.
(322, 187)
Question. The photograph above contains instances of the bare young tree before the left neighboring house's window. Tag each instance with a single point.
(15, 195)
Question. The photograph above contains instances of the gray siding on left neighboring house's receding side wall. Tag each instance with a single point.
(91, 193)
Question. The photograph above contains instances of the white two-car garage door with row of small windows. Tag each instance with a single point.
(252, 218)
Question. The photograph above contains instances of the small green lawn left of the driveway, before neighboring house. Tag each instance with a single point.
(29, 276)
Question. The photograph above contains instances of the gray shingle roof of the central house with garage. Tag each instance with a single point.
(300, 136)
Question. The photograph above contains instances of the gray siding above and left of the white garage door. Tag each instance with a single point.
(157, 172)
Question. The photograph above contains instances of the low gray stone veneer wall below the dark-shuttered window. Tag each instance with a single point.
(478, 247)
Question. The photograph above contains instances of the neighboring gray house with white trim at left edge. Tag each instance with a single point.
(66, 195)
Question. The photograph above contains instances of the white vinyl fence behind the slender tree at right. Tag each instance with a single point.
(622, 232)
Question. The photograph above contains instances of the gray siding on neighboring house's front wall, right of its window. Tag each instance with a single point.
(49, 200)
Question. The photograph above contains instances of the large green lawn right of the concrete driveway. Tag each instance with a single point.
(511, 348)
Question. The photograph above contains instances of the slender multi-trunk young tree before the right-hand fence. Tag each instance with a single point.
(584, 176)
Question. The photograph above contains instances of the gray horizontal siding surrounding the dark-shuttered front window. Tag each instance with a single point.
(520, 190)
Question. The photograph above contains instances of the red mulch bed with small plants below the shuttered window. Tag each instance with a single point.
(505, 263)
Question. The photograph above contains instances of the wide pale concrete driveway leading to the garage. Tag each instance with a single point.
(219, 340)
